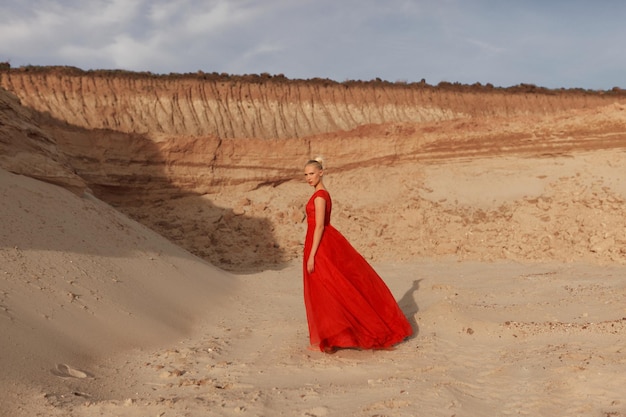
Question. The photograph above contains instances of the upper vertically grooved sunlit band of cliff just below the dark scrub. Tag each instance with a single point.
(263, 108)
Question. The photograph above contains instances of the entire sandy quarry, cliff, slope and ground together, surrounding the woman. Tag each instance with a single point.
(496, 218)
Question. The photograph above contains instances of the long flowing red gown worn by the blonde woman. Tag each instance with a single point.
(347, 303)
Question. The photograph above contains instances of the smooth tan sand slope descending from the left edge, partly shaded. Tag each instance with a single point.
(80, 282)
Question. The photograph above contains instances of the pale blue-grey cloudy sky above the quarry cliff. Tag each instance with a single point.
(548, 43)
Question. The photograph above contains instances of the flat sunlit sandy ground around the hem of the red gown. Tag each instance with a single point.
(492, 339)
